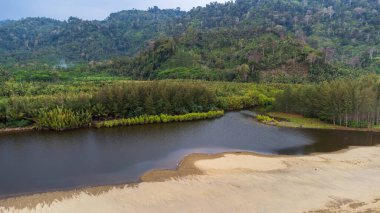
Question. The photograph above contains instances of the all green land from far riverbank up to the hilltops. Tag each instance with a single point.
(314, 58)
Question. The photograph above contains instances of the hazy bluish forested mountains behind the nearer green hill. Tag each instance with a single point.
(343, 31)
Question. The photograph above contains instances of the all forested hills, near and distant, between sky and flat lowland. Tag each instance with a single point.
(292, 39)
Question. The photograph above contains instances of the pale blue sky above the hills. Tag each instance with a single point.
(85, 9)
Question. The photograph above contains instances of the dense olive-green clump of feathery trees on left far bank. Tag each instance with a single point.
(138, 98)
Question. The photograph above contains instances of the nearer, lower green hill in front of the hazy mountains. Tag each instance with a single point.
(228, 54)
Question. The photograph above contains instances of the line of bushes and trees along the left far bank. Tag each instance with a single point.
(119, 100)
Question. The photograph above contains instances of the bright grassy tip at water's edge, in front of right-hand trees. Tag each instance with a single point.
(295, 120)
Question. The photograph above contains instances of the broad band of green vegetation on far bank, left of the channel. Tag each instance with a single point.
(75, 103)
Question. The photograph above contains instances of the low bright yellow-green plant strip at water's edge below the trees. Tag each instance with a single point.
(162, 118)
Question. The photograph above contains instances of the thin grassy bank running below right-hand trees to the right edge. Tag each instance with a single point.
(291, 120)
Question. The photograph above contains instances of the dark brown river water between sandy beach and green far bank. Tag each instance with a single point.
(43, 161)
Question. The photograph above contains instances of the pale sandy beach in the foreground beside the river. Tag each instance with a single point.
(343, 181)
